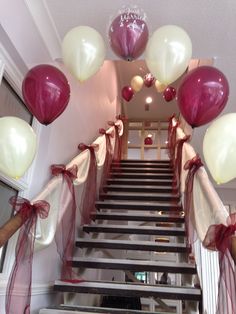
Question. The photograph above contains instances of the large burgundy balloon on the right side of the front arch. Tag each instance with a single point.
(202, 95)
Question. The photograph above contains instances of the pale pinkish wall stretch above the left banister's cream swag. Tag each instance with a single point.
(92, 104)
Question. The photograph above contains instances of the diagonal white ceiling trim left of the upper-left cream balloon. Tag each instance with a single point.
(44, 22)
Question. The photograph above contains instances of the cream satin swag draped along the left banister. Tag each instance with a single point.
(46, 228)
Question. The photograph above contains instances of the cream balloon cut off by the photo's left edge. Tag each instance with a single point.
(17, 145)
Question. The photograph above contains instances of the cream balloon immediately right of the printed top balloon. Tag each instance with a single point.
(168, 53)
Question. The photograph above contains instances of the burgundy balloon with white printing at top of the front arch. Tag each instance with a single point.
(128, 35)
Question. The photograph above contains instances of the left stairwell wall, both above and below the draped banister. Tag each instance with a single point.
(92, 104)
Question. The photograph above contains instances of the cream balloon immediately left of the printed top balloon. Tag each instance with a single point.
(83, 52)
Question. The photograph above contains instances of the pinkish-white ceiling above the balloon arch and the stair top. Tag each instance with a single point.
(48, 21)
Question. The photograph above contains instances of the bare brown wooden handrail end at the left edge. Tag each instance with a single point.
(9, 228)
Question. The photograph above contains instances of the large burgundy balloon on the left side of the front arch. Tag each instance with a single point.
(46, 92)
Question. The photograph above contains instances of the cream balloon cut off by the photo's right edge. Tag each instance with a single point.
(219, 148)
